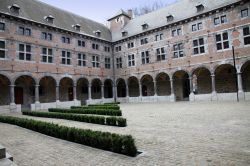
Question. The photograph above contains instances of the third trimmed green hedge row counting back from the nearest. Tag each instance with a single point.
(79, 110)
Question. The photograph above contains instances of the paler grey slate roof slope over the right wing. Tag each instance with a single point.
(180, 10)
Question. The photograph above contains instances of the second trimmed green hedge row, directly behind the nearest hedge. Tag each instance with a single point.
(112, 121)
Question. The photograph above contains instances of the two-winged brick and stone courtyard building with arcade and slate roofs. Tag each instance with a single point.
(182, 52)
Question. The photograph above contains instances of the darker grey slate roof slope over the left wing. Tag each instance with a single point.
(36, 11)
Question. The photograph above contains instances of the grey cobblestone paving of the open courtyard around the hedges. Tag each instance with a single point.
(179, 133)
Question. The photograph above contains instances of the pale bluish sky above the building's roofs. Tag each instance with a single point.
(100, 10)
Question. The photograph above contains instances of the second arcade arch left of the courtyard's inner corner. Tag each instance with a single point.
(96, 85)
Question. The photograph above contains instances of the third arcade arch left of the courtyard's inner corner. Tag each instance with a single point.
(82, 84)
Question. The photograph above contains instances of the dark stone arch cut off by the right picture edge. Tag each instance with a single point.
(245, 74)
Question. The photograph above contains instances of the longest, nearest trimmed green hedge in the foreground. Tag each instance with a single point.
(123, 144)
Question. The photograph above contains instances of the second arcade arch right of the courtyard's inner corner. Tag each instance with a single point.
(133, 86)
